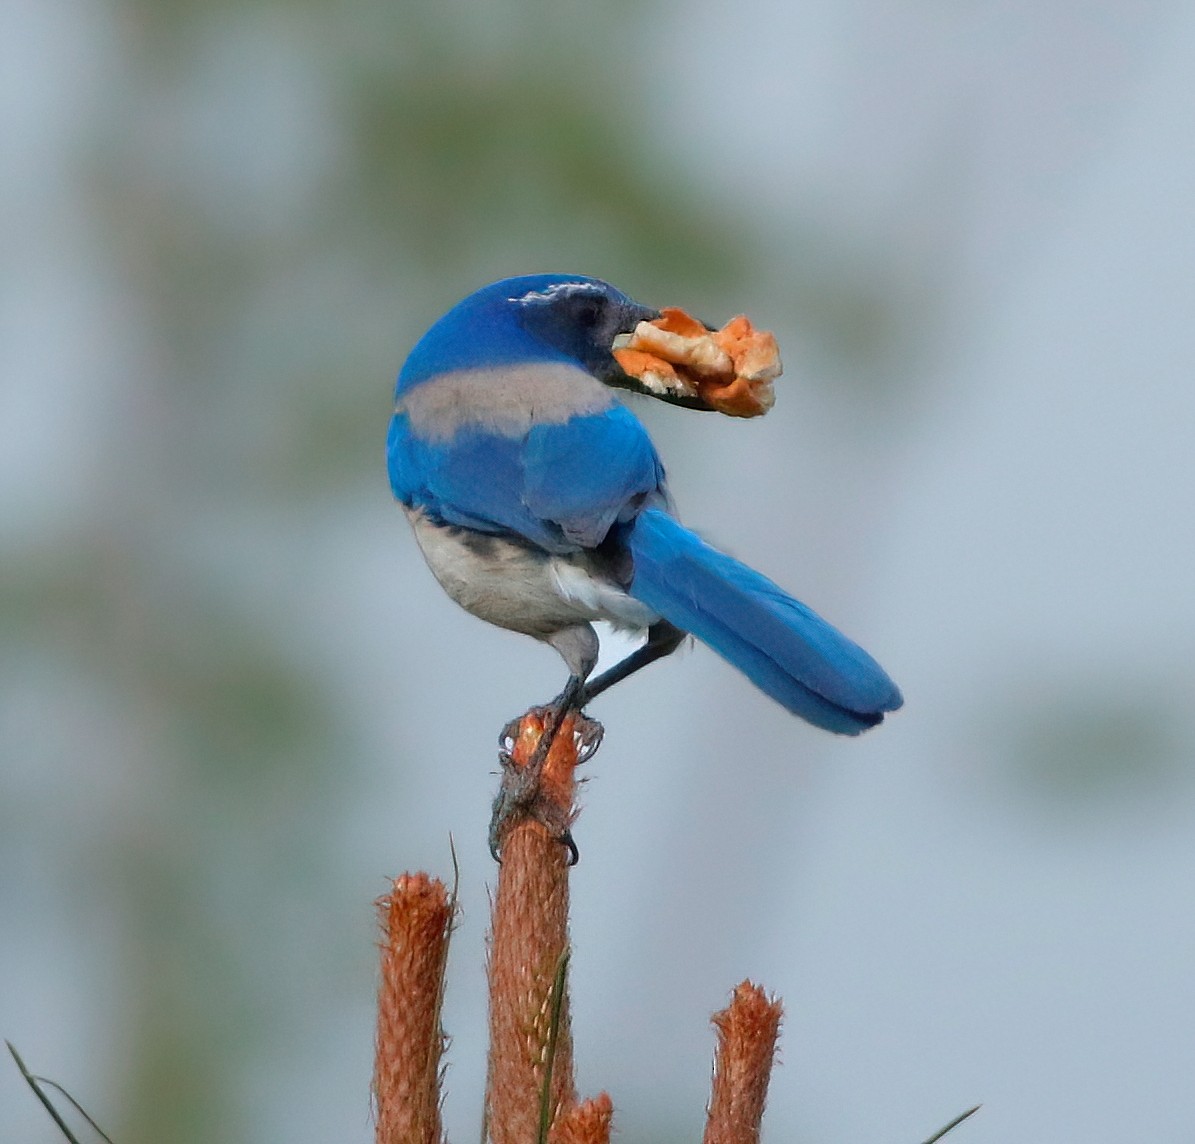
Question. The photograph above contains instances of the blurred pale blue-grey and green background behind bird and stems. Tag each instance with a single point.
(234, 701)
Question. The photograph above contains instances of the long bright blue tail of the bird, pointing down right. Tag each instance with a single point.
(783, 647)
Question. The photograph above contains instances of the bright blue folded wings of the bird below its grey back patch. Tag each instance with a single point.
(560, 486)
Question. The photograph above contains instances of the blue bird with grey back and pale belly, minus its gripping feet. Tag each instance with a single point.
(541, 506)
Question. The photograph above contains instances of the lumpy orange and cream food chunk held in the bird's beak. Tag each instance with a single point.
(731, 370)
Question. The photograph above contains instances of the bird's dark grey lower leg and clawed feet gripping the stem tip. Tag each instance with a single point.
(520, 792)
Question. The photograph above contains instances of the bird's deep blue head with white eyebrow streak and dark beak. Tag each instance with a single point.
(534, 319)
